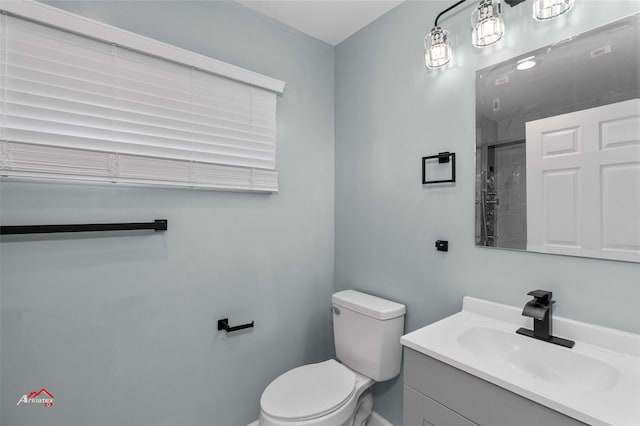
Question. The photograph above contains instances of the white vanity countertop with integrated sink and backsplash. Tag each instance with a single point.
(596, 382)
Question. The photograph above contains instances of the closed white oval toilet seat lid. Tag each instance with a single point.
(309, 392)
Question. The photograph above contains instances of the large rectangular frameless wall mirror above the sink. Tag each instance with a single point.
(558, 147)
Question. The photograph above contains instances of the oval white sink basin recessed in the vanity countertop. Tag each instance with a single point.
(550, 363)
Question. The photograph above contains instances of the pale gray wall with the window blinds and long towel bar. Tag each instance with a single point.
(122, 329)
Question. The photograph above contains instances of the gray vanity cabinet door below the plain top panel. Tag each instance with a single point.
(420, 410)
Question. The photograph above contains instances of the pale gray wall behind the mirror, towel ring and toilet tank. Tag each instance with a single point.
(390, 111)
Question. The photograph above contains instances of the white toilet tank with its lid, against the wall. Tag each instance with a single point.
(367, 331)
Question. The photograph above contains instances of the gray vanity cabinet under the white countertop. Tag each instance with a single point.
(437, 394)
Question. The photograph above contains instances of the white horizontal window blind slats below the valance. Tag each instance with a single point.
(75, 108)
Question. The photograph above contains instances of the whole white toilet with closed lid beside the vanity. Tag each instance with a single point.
(367, 332)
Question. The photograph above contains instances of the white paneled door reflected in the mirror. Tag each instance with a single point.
(583, 182)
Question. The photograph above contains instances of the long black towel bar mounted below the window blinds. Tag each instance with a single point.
(156, 225)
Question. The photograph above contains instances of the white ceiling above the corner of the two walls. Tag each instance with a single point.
(331, 21)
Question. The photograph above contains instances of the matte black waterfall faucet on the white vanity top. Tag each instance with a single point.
(540, 309)
